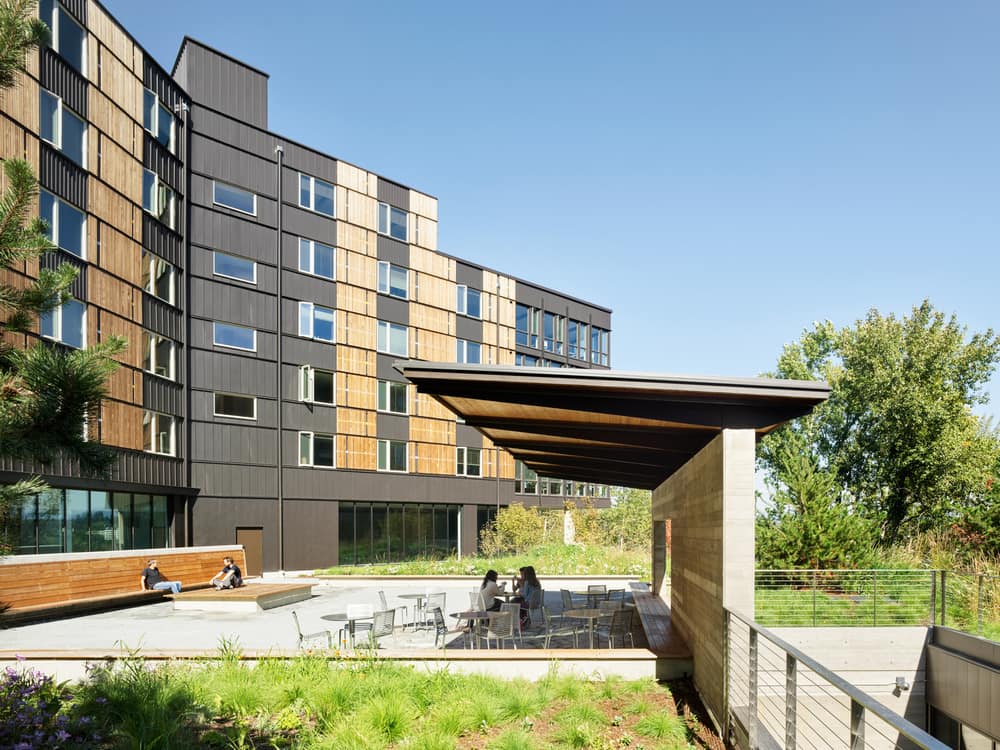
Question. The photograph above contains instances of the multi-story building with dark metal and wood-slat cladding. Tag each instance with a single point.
(266, 289)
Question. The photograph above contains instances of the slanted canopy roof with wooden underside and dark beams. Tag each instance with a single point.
(605, 426)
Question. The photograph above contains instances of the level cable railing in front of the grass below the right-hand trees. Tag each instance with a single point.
(879, 598)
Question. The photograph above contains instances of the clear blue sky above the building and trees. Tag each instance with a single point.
(719, 174)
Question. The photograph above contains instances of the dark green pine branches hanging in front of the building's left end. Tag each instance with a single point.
(46, 393)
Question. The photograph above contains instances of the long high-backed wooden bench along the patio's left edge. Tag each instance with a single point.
(39, 587)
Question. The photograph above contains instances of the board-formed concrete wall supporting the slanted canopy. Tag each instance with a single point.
(710, 505)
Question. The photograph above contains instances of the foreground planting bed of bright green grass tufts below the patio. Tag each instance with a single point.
(312, 702)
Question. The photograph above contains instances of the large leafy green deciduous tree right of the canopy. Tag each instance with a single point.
(898, 434)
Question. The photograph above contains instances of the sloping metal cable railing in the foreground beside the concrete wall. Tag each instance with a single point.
(777, 697)
